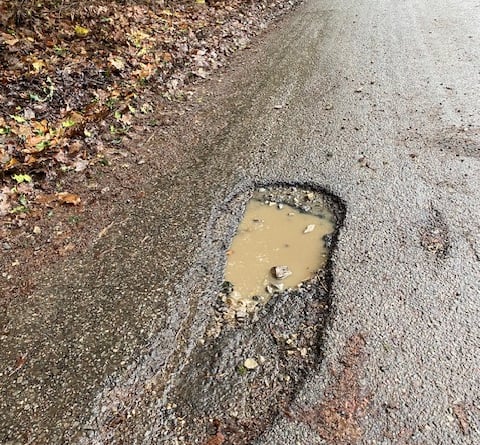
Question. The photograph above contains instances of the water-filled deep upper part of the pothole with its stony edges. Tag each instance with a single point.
(278, 246)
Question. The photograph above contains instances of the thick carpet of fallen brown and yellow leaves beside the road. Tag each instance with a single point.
(72, 78)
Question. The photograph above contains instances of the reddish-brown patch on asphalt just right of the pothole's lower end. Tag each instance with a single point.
(337, 418)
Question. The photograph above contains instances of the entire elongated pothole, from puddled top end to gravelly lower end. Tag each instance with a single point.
(260, 347)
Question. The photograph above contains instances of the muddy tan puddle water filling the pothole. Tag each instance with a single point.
(274, 235)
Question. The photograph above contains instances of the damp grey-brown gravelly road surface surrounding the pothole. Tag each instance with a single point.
(378, 104)
